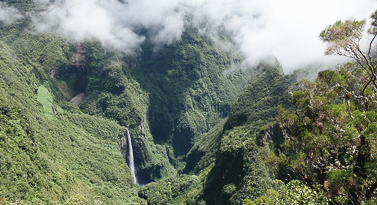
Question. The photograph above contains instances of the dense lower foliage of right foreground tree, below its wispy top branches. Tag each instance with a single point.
(331, 140)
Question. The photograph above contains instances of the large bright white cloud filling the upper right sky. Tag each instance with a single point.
(286, 29)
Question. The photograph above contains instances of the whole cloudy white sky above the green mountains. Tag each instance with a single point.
(286, 29)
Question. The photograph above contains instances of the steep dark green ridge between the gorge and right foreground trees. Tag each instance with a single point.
(240, 170)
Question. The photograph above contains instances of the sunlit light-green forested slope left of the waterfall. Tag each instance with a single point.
(45, 159)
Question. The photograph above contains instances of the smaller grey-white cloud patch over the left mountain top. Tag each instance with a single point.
(88, 19)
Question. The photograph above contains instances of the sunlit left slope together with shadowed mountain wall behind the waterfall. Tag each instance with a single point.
(54, 153)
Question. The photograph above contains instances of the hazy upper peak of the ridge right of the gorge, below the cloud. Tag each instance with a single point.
(266, 89)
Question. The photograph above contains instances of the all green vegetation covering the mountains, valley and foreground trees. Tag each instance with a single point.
(201, 133)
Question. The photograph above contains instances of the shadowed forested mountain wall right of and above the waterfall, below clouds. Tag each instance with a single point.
(169, 98)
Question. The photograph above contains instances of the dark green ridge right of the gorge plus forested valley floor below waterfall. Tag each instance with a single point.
(229, 162)
